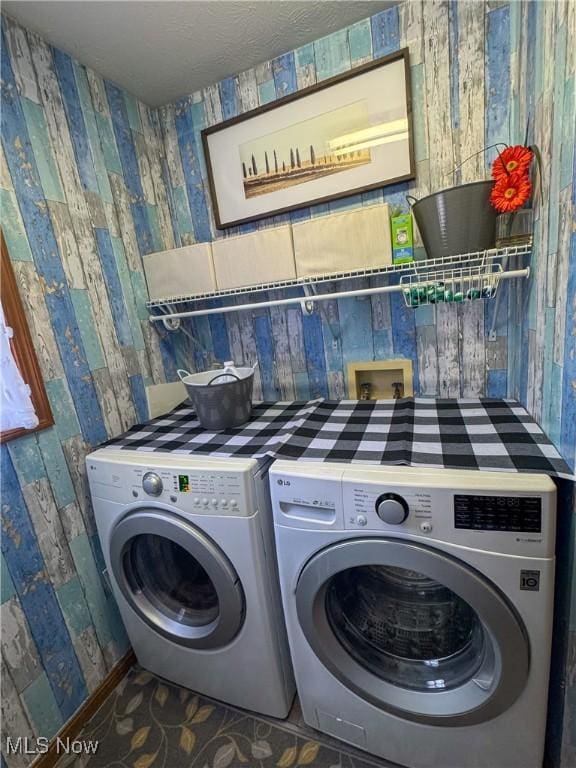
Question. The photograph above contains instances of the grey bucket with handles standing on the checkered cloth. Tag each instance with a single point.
(221, 399)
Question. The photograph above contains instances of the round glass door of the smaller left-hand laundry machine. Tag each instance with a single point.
(176, 579)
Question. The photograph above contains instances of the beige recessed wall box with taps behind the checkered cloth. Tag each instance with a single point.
(380, 379)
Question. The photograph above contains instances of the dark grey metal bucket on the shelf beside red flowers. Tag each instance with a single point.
(456, 220)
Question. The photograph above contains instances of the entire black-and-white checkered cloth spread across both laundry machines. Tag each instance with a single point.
(483, 434)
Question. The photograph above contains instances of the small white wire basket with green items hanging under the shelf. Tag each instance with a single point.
(466, 283)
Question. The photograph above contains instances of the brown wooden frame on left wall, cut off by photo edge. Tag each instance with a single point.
(22, 349)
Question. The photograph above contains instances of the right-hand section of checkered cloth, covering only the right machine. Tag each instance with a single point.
(485, 434)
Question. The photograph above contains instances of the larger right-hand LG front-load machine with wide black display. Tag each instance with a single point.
(419, 608)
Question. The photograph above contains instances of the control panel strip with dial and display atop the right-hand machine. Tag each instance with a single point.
(497, 512)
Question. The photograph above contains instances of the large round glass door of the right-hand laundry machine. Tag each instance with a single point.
(413, 630)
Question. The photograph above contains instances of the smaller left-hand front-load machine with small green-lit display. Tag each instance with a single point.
(189, 547)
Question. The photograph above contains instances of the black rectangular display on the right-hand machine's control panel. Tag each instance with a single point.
(521, 514)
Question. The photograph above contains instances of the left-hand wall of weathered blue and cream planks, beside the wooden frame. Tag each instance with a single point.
(82, 198)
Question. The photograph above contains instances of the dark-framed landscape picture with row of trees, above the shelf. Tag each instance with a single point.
(348, 134)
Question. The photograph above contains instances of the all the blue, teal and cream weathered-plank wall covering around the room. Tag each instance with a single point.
(91, 180)
